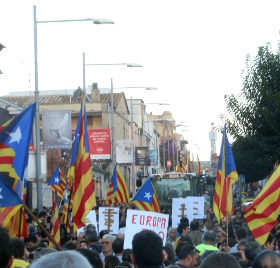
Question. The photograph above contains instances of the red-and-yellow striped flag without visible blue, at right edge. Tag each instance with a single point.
(261, 216)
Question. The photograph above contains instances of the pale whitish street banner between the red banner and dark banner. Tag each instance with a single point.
(124, 152)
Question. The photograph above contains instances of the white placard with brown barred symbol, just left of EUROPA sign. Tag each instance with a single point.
(109, 219)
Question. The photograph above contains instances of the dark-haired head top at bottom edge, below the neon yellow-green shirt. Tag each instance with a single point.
(219, 259)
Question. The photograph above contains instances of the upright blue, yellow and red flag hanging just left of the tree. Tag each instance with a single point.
(226, 176)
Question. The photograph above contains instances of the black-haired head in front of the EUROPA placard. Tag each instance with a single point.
(146, 249)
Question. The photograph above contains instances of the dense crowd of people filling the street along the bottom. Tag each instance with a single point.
(200, 243)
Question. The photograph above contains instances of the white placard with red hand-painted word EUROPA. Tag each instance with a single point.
(138, 220)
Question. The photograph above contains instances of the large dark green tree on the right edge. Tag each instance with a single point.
(254, 120)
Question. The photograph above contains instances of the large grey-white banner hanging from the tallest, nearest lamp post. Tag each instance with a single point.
(56, 129)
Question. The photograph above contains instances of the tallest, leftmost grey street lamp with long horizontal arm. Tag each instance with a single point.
(37, 114)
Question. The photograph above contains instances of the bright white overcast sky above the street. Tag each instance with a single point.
(192, 51)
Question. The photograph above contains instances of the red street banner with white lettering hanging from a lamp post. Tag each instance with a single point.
(99, 144)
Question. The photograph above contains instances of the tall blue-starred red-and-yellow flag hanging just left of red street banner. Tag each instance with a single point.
(81, 173)
